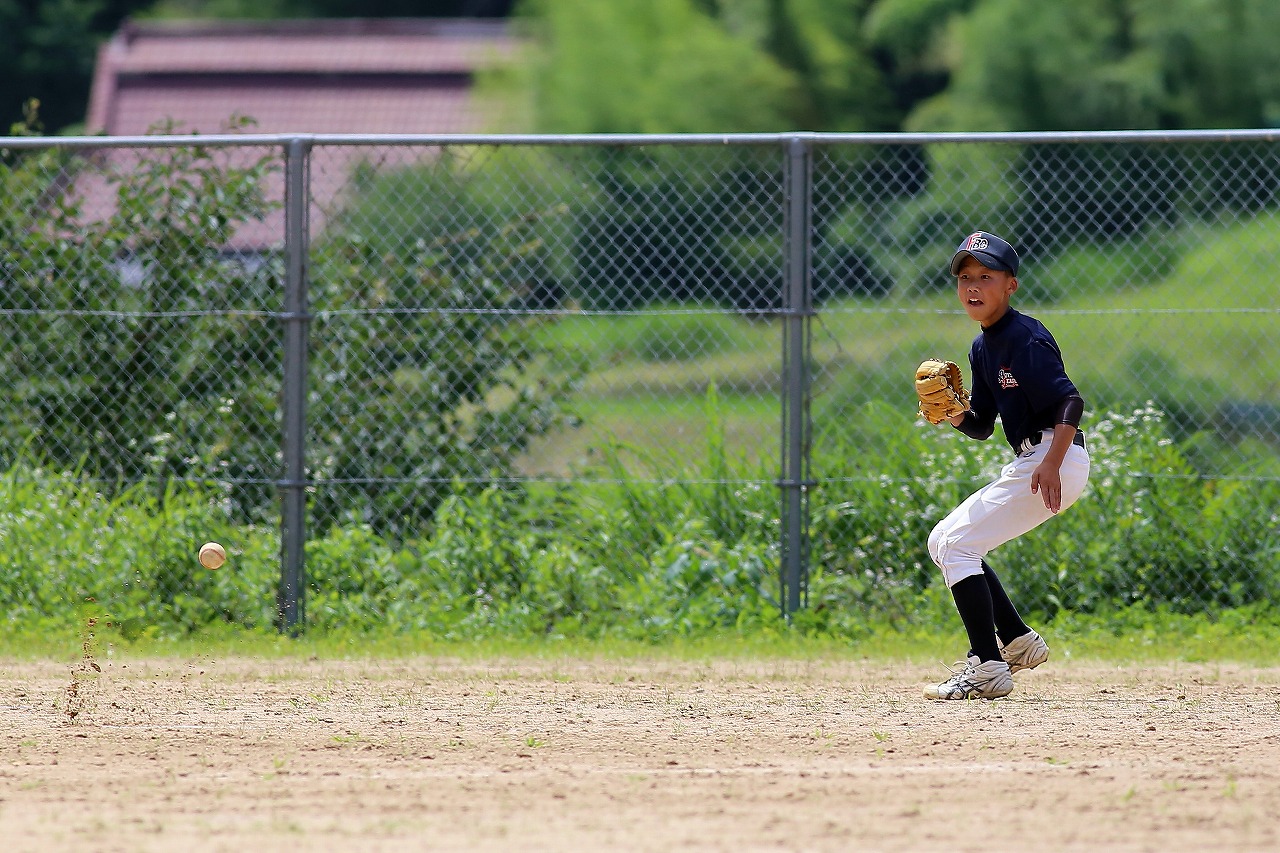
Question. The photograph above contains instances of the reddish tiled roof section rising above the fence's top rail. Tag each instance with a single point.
(365, 76)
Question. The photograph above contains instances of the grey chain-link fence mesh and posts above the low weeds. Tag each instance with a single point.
(363, 326)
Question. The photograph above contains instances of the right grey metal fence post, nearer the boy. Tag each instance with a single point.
(798, 302)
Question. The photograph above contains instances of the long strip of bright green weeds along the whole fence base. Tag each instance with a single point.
(647, 559)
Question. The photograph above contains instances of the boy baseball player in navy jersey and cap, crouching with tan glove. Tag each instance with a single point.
(1018, 376)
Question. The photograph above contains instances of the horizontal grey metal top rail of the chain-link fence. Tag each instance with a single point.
(1022, 138)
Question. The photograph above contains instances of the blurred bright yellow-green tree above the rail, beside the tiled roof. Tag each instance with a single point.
(703, 66)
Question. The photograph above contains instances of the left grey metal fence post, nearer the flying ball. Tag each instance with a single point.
(294, 496)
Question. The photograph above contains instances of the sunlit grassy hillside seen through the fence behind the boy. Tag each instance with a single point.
(1186, 340)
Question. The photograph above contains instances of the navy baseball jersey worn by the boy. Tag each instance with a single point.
(1018, 373)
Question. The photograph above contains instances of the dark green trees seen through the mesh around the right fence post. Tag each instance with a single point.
(702, 225)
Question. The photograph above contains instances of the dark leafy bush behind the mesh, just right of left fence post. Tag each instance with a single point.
(424, 367)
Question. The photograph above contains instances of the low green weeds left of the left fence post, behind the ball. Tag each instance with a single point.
(71, 550)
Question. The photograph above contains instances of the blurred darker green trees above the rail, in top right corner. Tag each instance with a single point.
(1107, 65)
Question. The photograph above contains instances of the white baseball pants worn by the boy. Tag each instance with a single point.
(1003, 510)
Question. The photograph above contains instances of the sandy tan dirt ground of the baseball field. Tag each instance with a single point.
(426, 754)
